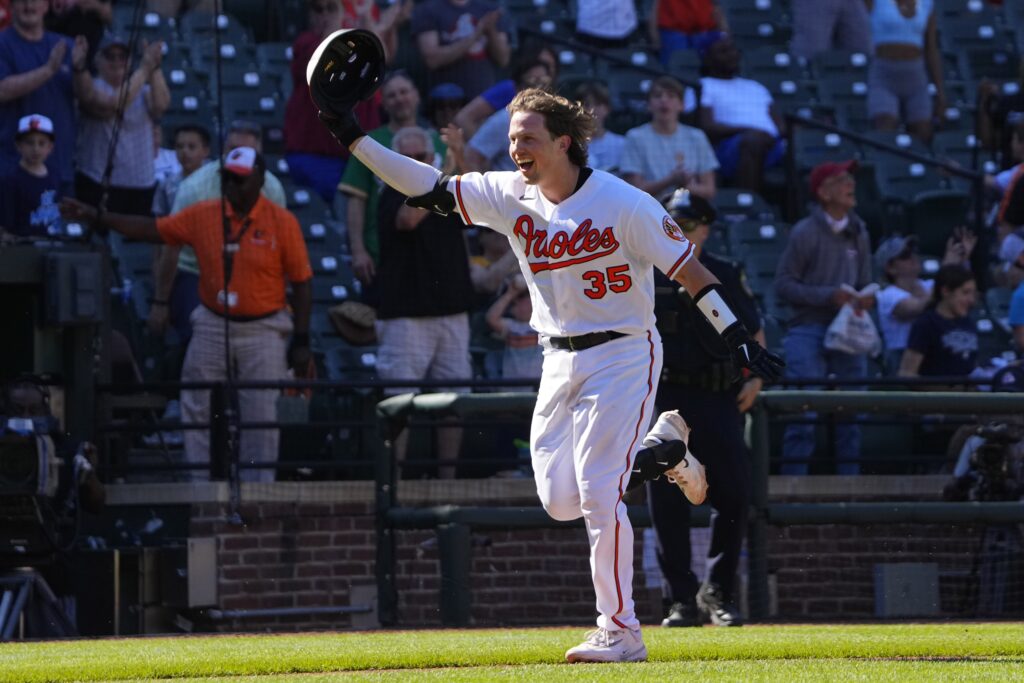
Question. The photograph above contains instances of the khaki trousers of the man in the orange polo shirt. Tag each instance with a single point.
(259, 353)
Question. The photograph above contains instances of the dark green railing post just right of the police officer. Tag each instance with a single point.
(757, 541)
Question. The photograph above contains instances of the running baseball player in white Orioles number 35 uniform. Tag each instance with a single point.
(587, 243)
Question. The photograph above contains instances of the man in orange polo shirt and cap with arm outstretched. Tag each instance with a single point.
(267, 252)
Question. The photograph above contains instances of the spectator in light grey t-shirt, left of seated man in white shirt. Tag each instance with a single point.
(663, 156)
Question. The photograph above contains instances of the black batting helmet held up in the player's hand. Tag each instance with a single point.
(348, 68)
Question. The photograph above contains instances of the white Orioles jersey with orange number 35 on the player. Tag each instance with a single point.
(587, 261)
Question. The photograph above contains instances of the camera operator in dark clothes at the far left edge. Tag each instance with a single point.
(25, 405)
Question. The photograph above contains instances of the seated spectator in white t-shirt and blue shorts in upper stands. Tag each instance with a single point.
(739, 116)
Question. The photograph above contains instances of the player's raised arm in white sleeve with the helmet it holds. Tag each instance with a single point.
(348, 68)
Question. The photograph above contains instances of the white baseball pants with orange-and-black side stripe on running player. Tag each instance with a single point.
(593, 410)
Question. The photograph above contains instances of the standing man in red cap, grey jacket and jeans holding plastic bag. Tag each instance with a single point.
(827, 259)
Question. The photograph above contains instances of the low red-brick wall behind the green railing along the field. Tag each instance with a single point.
(295, 554)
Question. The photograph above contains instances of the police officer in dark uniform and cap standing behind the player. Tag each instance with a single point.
(703, 381)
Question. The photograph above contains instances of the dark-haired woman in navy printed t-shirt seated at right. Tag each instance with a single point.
(944, 341)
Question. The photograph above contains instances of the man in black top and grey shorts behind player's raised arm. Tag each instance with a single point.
(425, 292)
